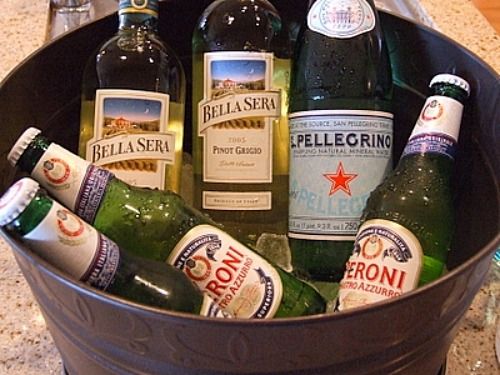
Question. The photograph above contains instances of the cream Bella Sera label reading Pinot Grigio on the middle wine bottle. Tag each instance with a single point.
(236, 120)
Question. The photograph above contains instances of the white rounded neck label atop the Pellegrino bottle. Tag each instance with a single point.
(341, 19)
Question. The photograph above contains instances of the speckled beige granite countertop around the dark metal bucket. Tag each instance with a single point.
(26, 346)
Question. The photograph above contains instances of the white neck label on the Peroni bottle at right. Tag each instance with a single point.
(437, 127)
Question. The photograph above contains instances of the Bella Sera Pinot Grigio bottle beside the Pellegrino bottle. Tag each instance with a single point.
(241, 68)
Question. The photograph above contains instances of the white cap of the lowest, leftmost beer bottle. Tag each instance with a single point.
(16, 199)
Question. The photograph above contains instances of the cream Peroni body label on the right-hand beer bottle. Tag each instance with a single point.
(386, 262)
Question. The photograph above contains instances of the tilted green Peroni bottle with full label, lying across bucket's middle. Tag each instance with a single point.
(160, 225)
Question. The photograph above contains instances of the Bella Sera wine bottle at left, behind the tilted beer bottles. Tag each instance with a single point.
(133, 96)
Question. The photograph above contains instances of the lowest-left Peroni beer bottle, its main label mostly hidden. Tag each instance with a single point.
(77, 249)
